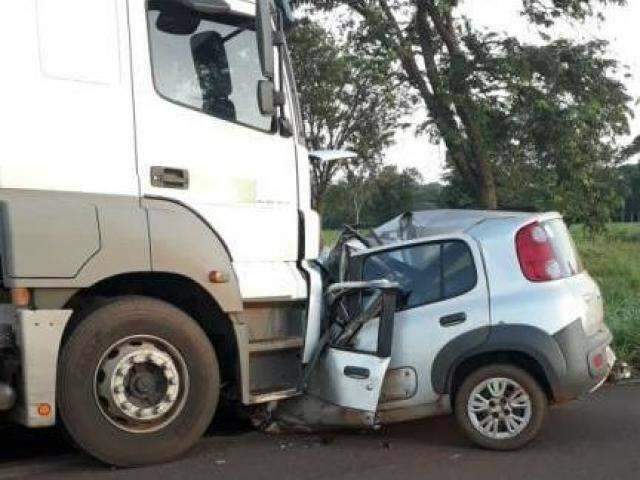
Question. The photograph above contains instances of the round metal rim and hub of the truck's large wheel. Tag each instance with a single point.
(141, 383)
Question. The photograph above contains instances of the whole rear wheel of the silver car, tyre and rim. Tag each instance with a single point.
(500, 407)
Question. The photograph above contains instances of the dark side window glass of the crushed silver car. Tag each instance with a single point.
(427, 273)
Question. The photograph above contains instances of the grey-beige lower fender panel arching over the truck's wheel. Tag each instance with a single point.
(65, 242)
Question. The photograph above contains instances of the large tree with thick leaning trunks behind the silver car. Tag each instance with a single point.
(482, 91)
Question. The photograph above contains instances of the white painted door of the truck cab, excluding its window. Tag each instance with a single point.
(240, 179)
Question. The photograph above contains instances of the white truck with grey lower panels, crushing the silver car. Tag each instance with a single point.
(153, 151)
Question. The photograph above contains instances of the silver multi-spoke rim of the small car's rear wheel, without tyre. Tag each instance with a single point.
(499, 408)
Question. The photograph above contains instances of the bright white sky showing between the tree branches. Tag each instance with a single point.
(621, 29)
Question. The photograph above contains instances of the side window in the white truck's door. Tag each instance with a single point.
(210, 64)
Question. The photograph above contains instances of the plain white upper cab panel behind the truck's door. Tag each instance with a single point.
(59, 97)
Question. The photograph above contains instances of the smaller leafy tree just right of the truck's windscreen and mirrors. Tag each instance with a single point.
(350, 99)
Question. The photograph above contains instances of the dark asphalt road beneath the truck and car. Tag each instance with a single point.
(596, 438)
